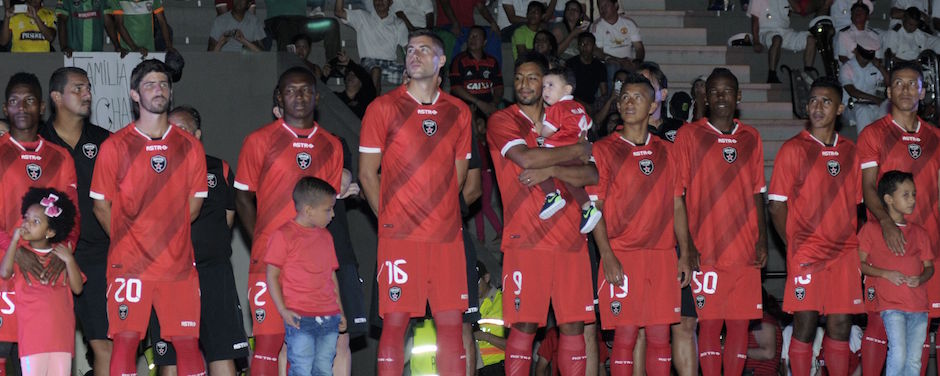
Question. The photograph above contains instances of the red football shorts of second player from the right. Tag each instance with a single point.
(836, 289)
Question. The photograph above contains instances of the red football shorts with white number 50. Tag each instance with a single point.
(727, 294)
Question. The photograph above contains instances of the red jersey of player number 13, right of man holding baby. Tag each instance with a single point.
(636, 221)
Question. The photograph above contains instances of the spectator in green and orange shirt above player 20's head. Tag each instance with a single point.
(134, 23)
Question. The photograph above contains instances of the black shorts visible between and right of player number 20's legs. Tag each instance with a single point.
(221, 329)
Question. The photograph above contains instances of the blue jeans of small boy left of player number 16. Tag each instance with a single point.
(311, 349)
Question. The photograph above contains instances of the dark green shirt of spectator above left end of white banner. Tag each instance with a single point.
(85, 23)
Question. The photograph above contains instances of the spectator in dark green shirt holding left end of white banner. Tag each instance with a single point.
(82, 26)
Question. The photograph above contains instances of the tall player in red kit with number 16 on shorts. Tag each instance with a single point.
(420, 137)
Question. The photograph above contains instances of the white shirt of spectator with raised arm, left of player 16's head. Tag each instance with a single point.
(377, 38)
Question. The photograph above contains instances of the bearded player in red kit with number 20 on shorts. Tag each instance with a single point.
(148, 186)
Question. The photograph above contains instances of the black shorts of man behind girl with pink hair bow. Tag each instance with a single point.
(91, 306)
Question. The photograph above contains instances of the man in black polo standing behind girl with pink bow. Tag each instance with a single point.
(70, 128)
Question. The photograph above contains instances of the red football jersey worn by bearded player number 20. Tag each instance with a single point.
(149, 183)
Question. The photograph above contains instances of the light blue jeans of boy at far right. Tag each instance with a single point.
(906, 334)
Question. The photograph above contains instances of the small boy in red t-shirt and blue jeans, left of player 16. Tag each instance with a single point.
(302, 279)
